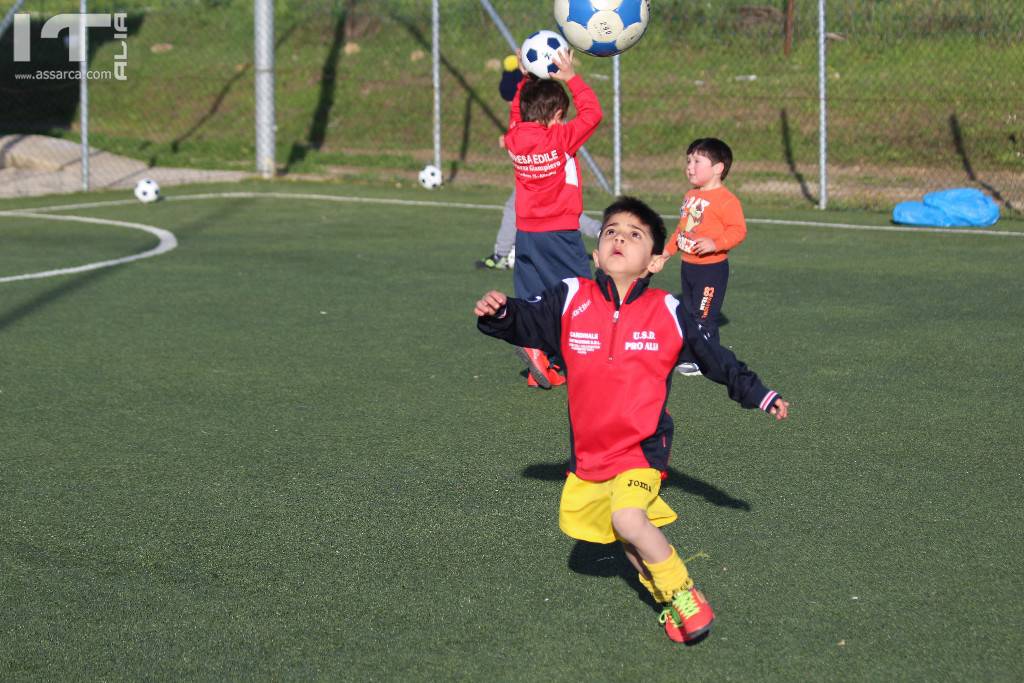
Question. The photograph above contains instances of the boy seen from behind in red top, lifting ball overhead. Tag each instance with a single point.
(542, 143)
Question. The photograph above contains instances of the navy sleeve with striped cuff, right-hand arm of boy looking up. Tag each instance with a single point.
(720, 365)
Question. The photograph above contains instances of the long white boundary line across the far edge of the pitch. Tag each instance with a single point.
(489, 207)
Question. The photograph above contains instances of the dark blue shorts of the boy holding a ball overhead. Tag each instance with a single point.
(544, 260)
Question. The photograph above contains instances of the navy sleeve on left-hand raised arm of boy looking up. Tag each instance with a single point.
(533, 323)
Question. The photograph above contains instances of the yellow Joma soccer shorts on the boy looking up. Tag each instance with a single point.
(585, 513)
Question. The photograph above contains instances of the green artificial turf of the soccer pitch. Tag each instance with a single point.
(284, 452)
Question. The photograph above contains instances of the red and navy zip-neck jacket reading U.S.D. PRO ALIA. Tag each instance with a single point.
(619, 360)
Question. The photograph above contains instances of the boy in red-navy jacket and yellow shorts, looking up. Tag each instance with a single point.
(621, 341)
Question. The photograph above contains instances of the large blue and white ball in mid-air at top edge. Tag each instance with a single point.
(603, 28)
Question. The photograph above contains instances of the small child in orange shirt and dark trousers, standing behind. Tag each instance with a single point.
(711, 224)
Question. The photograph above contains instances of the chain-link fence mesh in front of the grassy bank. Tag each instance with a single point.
(922, 96)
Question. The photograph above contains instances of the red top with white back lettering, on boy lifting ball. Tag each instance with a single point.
(548, 194)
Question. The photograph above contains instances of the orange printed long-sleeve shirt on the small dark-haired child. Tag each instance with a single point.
(712, 214)
